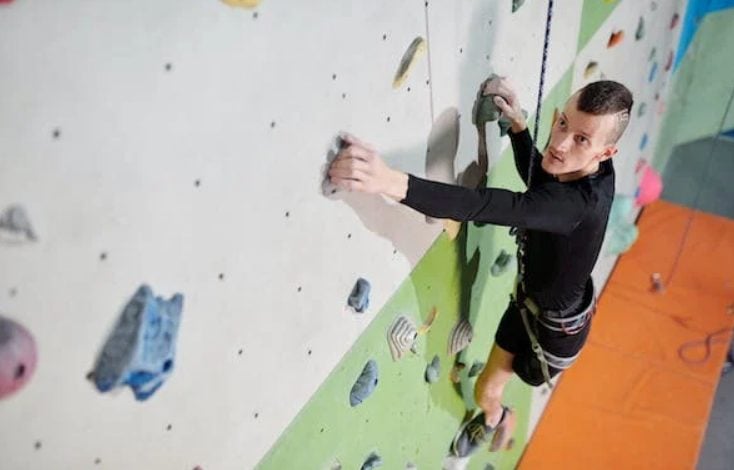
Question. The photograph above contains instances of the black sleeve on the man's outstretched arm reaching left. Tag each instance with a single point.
(550, 207)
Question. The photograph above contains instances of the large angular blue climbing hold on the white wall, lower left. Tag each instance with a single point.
(140, 351)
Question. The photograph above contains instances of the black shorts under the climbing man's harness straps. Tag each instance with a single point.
(512, 337)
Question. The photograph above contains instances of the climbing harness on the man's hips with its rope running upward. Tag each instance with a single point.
(531, 314)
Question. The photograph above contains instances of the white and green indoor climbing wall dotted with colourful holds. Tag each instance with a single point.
(179, 272)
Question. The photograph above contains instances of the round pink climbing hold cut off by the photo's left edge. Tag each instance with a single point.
(18, 356)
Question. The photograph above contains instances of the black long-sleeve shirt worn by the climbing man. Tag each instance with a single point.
(564, 222)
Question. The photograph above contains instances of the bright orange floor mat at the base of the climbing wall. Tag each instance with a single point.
(631, 401)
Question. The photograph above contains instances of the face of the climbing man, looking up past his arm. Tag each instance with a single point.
(579, 142)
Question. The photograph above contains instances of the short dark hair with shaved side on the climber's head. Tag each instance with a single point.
(607, 97)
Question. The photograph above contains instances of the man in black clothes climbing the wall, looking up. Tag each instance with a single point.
(562, 218)
